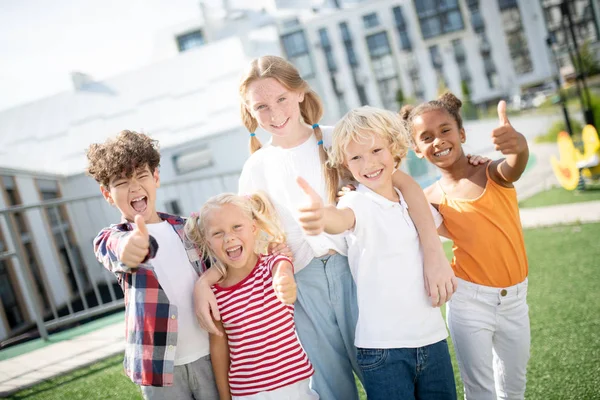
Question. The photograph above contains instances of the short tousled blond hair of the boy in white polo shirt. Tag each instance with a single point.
(359, 125)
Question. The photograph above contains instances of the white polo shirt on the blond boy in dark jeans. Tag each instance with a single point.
(386, 260)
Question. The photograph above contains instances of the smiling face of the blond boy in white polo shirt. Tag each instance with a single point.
(371, 163)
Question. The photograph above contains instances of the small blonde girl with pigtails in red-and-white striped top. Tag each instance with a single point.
(260, 356)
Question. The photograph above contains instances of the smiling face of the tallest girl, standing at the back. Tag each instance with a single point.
(276, 108)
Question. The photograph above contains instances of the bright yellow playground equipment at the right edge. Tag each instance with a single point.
(575, 169)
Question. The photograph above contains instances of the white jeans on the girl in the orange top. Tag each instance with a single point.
(490, 331)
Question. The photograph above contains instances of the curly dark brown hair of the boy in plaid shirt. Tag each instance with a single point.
(121, 156)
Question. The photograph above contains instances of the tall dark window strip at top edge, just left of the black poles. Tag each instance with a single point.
(515, 37)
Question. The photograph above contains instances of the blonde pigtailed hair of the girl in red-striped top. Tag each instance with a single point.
(256, 207)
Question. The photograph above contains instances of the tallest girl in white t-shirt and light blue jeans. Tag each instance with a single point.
(275, 98)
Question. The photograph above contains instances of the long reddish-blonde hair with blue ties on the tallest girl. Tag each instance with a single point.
(311, 107)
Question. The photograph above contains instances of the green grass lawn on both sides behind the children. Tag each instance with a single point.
(563, 300)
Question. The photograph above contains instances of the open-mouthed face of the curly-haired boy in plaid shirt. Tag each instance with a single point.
(134, 195)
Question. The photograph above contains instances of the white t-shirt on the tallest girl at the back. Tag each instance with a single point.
(274, 170)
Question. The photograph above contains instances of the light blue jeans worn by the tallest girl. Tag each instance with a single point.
(326, 313)
